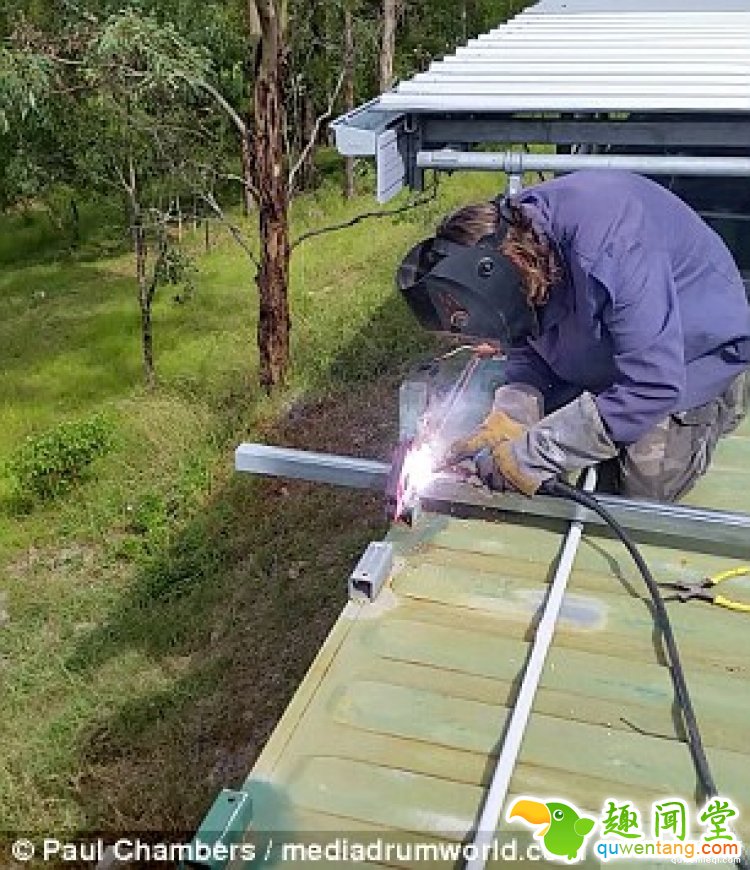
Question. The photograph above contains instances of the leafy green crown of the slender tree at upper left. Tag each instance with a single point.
(95, 100)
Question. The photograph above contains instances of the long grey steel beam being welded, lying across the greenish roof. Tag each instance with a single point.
(448, 496)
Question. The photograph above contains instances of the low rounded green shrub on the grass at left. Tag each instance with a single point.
(49, 464)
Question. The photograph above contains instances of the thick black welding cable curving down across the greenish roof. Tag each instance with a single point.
(560, 489)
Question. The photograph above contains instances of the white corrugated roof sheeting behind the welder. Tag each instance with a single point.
(594, 55)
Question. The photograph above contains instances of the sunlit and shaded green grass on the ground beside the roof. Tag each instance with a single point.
(155, 621)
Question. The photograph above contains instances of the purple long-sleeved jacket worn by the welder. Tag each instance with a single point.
(651, 314)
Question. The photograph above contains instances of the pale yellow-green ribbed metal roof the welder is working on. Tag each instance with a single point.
(394, 728)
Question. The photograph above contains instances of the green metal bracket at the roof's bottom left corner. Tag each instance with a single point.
(223, 826)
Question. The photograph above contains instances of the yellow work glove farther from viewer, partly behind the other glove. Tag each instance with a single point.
(515, 407)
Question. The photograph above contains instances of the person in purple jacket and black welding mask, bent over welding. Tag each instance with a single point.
(625, 321)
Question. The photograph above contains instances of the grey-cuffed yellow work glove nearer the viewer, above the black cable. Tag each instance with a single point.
(569, 439)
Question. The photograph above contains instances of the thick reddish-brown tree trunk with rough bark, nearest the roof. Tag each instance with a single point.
(270, 179)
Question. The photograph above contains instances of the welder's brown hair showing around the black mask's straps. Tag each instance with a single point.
(528, 250)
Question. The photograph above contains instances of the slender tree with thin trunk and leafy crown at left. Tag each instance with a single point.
(120, 99)
